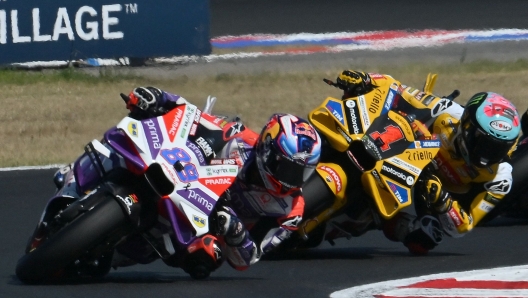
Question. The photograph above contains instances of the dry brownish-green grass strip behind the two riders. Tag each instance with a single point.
(48, 116)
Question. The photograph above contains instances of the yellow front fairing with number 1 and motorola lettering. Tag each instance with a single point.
(380, 141)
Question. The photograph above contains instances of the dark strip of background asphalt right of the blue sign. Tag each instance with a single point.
(238, 17)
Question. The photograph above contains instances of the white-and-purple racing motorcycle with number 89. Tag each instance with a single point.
(149, 192)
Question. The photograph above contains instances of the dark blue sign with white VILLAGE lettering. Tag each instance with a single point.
(36, 30)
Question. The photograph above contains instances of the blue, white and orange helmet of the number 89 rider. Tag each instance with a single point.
(288, 150)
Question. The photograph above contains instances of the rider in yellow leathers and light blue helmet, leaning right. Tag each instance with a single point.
(469, 175)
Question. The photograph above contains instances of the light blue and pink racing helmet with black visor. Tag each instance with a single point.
(489, 129)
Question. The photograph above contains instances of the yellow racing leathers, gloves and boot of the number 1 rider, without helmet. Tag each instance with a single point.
(456, 195)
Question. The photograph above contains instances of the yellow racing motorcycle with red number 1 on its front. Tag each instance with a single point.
(375, 147)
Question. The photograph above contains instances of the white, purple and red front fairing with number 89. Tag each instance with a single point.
(196, 186)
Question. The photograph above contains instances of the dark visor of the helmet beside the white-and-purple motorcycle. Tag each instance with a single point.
(290, 173)
